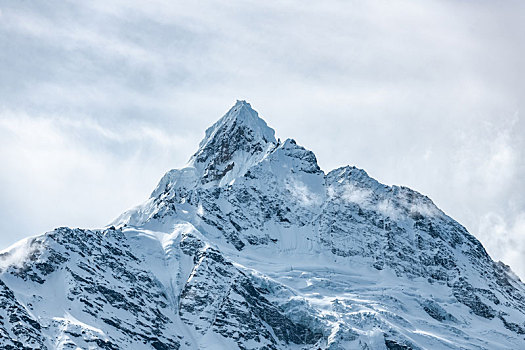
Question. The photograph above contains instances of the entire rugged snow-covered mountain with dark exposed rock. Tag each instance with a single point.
(253, 246)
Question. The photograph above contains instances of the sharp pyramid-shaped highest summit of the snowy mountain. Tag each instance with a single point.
(234, 142)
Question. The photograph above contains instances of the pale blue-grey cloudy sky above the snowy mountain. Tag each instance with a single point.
(98, 100)
